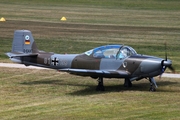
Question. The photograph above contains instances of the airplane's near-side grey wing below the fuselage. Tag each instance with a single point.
(103, 73)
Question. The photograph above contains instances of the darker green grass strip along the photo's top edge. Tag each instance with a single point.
(136, 4)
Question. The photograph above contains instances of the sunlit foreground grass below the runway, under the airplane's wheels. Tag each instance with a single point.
(47, 94)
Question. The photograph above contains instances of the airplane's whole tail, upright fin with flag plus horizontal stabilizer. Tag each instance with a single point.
(23, 46)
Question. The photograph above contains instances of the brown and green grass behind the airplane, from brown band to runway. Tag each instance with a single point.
(67, 37)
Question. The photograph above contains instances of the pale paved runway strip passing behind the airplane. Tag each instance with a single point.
(10, 65)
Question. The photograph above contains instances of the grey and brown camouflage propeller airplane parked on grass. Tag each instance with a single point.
(108, 61)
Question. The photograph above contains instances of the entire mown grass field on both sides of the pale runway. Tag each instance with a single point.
(45, 94)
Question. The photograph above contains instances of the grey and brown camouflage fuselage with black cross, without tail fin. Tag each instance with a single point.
(138, 66)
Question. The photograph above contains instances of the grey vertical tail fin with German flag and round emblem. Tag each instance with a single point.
(23, 42)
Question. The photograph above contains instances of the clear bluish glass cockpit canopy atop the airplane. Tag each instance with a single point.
(111, 51)
